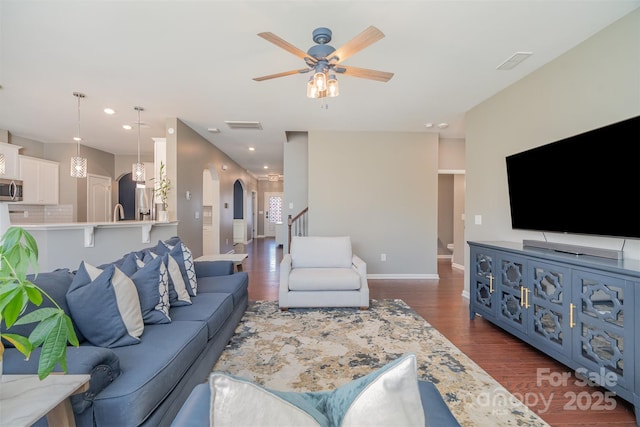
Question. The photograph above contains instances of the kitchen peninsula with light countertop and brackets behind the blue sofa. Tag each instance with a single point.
(68, 244)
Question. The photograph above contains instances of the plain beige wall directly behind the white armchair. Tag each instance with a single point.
(381, 189)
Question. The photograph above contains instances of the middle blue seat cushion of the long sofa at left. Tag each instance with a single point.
(212, 308)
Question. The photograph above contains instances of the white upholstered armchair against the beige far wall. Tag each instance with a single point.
(322, 272)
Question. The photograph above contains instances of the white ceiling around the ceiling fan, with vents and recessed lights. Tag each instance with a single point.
(195, 60)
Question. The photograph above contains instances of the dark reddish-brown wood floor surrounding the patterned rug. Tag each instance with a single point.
(510, 361)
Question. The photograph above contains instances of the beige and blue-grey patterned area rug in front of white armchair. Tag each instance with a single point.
(321, 349)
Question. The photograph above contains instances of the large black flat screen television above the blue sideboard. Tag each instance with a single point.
(585, 184)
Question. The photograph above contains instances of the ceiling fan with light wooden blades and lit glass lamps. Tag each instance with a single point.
(326, 61)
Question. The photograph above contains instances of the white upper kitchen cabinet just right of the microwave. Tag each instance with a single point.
(40, 180)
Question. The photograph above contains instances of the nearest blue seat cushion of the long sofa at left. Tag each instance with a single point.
(150, 371)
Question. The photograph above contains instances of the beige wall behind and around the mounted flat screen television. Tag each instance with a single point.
(592, 85)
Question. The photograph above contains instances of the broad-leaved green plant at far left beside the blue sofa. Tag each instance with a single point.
(19, 252)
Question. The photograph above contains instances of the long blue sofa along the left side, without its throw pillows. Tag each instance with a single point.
(145, 383)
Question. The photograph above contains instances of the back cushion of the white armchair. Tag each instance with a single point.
(315, 251)
